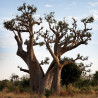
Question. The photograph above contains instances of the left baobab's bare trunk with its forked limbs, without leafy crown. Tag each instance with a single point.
(35, 70)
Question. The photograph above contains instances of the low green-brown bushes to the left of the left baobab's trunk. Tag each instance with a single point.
(14, 85)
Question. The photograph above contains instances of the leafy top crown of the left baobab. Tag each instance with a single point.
(17, 23)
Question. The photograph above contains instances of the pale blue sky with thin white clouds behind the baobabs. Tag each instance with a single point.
(63, 8)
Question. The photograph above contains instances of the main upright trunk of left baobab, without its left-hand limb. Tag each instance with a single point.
(36, 72)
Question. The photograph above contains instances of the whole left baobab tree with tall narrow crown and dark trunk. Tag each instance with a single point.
(24, 24)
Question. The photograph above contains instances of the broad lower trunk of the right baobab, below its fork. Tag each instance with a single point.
(52, 79)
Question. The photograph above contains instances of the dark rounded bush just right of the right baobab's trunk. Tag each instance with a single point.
(70, 73)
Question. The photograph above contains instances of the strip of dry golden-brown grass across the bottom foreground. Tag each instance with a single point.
(70, 92)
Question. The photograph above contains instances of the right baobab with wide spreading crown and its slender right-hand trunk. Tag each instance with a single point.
(64, 39)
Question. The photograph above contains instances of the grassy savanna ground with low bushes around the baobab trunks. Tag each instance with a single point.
(18, 87)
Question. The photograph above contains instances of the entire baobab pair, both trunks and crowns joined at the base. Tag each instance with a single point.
(60, 36)
